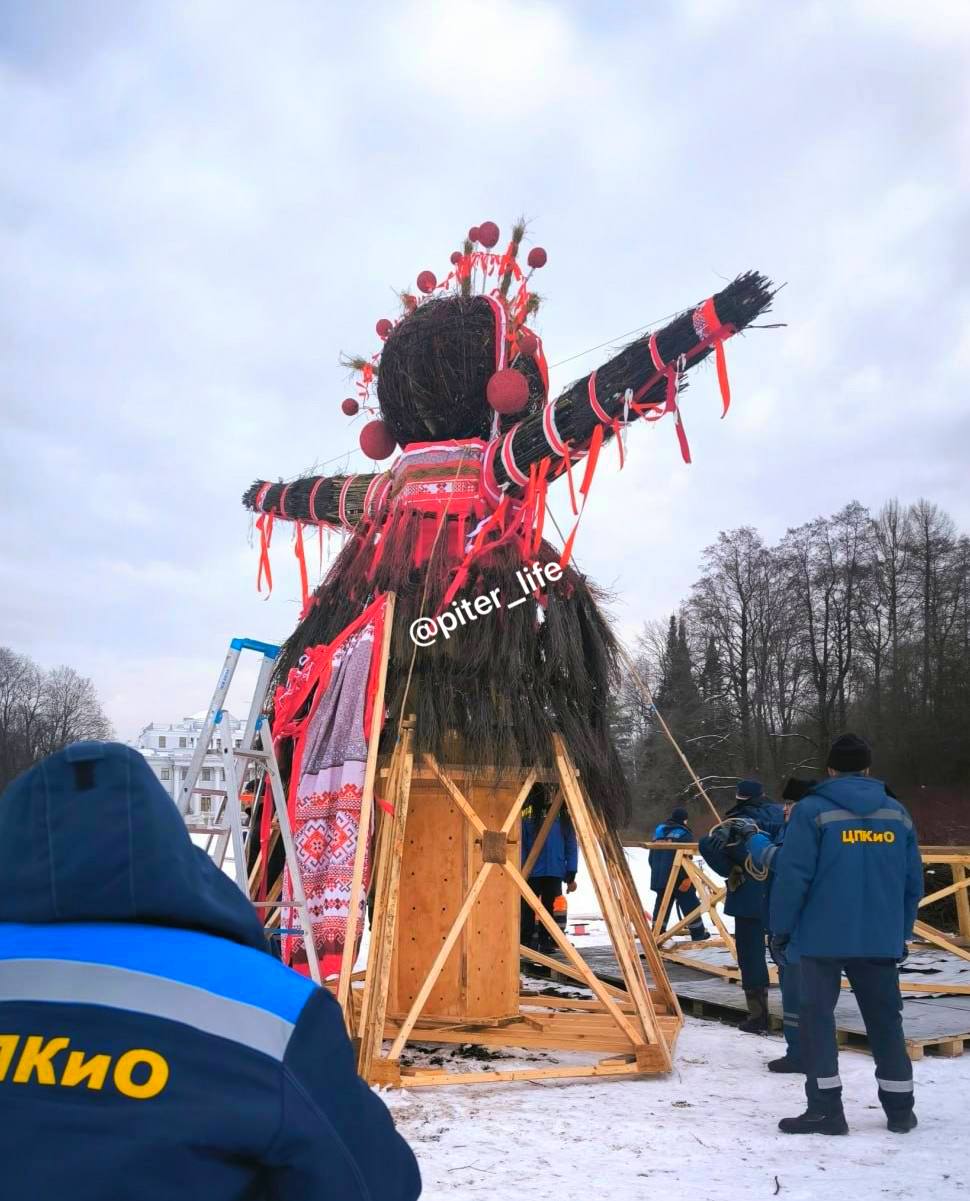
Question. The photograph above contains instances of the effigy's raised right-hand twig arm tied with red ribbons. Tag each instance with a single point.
(642, 381)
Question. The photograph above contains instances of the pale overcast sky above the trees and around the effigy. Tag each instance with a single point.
(203, 204)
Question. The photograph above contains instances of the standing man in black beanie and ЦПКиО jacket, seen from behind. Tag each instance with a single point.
(849, 882)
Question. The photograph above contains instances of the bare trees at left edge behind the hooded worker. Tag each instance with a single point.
(43, 712)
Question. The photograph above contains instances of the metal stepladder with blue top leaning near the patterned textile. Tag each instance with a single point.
(249, 764)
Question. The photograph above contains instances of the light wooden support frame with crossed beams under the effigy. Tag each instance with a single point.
(637, 1025)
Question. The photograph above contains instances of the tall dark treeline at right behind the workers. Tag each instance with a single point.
(854, 622)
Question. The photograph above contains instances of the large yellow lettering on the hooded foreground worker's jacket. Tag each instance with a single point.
(140, 1074)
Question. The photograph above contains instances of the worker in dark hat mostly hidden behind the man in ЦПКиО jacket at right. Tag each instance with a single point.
(745, 844)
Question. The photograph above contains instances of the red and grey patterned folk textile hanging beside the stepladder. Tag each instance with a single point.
(326, 709)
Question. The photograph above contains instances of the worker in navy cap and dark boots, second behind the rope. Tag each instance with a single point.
(746, 901)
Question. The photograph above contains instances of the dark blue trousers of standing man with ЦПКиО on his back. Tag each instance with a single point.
(876, 984)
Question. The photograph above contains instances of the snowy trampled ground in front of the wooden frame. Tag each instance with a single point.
(706, 1133)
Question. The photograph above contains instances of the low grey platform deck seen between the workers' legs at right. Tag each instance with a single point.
(936, 1025)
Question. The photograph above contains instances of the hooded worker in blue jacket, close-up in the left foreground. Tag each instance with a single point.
(151, 1047)
